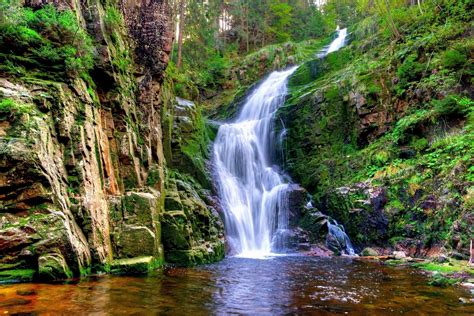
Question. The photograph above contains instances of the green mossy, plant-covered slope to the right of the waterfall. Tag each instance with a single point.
(381, 132)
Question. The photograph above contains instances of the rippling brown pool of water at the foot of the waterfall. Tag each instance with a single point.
(282, 285)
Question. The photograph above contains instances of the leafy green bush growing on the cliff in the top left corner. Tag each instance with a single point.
(46, 39)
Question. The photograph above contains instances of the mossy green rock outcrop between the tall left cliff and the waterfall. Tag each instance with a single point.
(193, 232)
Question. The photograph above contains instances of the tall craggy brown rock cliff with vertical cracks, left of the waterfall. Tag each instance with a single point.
(82, 181)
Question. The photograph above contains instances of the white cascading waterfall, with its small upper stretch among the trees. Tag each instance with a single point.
(253, 192)
